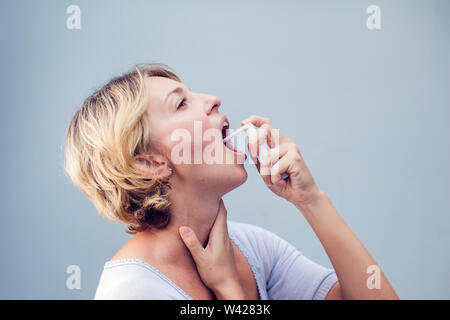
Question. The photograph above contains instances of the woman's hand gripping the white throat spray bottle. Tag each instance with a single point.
(300, 188)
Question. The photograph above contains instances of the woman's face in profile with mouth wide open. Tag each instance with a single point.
(187, 127)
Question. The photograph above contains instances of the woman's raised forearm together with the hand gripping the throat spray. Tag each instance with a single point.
(347, 254)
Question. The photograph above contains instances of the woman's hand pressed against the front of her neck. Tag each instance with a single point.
(215, 263)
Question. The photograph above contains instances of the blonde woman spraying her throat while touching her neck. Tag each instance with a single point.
(123, 151)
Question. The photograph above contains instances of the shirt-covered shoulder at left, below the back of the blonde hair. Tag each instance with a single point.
(126, 279)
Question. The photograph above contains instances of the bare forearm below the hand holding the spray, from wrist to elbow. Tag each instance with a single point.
(348, 255)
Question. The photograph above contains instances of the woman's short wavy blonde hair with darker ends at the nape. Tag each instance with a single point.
(103, 138)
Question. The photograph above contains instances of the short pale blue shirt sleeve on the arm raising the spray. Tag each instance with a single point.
(289, 274)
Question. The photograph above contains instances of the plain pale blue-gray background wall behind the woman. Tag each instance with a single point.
(368, 109)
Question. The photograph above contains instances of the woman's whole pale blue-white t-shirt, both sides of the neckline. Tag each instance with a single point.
(280, 270)
